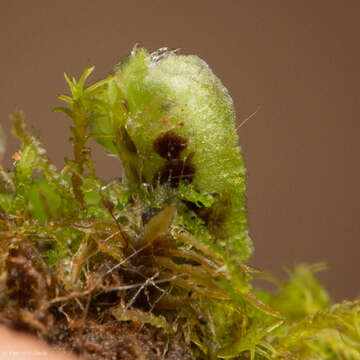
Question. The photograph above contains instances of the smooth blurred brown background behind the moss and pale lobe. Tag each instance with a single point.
(299, 61)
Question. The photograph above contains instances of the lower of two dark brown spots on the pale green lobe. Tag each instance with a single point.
(174, 171)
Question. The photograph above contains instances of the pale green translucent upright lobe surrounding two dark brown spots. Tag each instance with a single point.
(153, 94)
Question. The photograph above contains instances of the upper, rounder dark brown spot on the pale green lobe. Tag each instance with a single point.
(169, 145)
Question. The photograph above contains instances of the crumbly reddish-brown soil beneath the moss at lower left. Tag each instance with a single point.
(33, 301)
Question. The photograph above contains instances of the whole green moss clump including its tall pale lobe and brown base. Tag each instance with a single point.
(165, 246)
